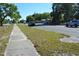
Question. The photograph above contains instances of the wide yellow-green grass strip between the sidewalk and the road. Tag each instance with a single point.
(48, 44)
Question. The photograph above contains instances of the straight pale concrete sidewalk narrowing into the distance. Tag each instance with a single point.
(19, 45)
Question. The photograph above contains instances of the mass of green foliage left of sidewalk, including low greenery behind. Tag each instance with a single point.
(8, 10)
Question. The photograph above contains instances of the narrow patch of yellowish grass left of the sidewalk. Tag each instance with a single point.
(4, 37)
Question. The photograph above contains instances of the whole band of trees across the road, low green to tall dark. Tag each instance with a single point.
(60, 14)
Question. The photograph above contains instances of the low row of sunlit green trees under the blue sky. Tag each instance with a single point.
(38, 17)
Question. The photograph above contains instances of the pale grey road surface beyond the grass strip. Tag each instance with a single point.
(74, 32)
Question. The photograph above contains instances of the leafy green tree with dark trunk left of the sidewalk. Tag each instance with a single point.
(7, 10)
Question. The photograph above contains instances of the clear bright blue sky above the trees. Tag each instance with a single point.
(26, 9)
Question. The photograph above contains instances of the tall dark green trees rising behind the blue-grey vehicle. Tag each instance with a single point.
(63, 12)
